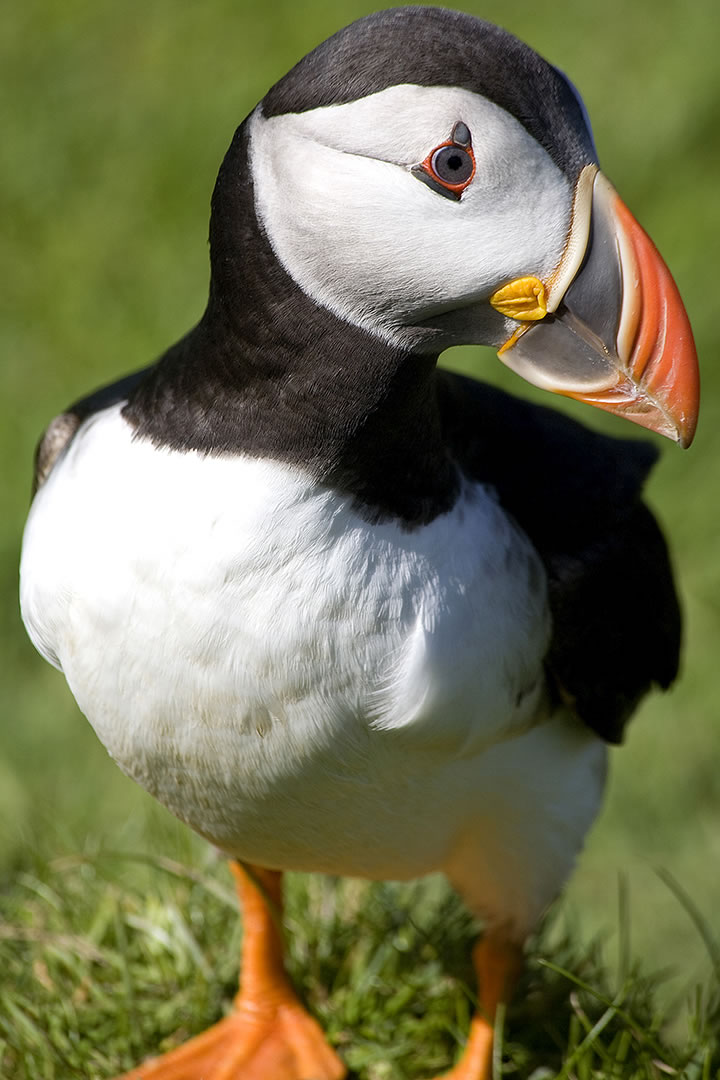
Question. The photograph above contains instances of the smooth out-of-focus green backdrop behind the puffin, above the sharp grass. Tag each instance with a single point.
(114, 119)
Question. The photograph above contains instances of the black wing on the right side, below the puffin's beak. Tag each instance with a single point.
(577, 495)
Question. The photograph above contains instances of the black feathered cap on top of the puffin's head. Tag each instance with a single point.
(433, 47)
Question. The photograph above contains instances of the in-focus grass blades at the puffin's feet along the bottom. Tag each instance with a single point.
(107, 963)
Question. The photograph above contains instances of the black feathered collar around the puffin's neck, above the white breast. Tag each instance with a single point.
(270, 374)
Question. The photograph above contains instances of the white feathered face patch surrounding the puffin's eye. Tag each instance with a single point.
(364, 238)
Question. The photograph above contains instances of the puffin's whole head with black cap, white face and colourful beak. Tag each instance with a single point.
(426, 177)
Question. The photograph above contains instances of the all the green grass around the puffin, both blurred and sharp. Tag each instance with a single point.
(115, 118)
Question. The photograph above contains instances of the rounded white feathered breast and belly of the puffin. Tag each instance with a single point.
(306, 690)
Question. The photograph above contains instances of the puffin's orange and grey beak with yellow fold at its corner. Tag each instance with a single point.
(610, 328)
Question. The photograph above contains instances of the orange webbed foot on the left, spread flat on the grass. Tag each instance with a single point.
(288, 1046)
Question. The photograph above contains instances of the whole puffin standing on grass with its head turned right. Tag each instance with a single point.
(342, 611)
